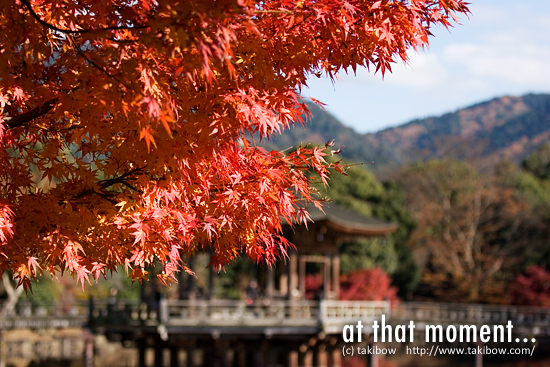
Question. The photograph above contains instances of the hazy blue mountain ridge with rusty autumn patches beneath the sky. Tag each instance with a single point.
(502, 128)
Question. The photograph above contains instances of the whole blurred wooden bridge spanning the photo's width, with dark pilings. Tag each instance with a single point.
(305, 333)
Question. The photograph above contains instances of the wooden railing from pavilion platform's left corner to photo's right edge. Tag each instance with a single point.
(328, 316)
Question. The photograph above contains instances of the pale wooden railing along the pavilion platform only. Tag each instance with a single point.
(326, 315)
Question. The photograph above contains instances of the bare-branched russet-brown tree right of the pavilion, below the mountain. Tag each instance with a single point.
(468, 226)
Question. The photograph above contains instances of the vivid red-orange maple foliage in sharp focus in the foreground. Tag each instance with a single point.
(123, 123)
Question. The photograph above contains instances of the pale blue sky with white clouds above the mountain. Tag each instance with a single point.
(503, 48)
